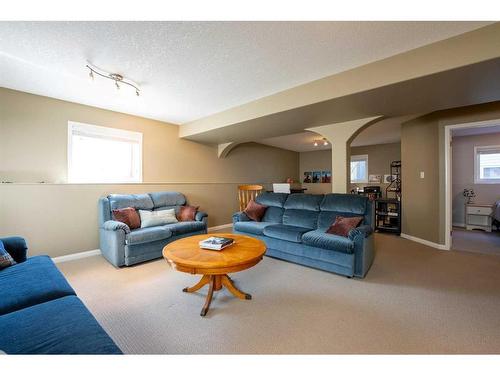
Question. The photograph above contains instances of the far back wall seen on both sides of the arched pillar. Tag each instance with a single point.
(379, 159)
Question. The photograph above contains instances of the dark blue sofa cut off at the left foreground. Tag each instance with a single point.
(40, 312)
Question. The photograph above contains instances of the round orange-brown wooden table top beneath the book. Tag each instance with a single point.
(185, 254)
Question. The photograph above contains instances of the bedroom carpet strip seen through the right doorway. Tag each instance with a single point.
(476, 241)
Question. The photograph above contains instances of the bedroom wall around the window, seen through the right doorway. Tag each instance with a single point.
(463, 173)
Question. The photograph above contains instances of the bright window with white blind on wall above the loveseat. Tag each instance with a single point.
(98, 154)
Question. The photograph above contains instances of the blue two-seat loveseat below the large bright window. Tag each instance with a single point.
(124, 247)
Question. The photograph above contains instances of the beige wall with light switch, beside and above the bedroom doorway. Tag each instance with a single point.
(423, 148)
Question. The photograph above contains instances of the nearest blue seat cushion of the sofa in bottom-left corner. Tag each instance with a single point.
(61, 326)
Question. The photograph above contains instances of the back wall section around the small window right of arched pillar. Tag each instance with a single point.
(379, 160)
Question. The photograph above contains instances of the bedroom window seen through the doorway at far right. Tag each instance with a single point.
(487, 165)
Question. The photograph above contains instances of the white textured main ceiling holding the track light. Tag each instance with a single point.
(188, 70)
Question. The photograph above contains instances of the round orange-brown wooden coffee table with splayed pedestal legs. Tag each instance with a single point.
(185, 255)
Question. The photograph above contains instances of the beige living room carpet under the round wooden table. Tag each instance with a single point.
(415, 299)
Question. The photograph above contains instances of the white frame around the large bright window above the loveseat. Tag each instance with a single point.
(103, 131)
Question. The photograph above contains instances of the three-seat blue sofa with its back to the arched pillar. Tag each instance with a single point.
(294, 229)
